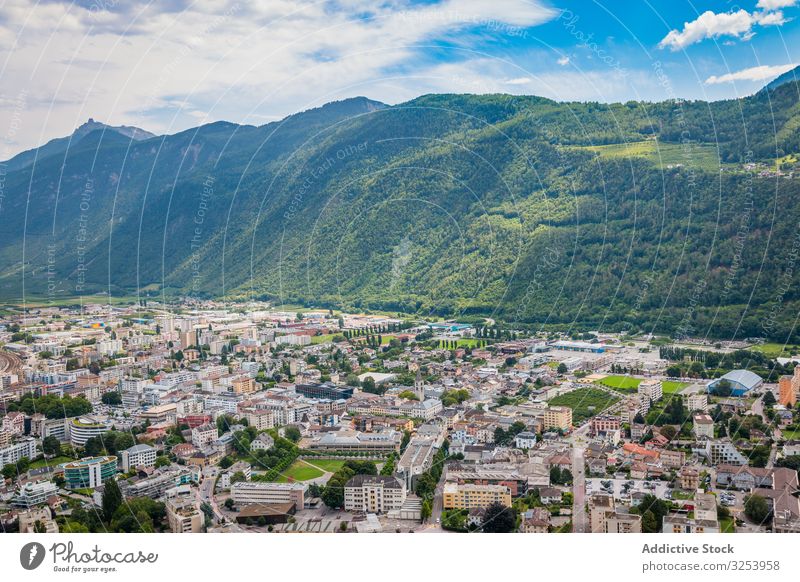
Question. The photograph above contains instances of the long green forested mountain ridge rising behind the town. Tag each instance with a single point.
(669, 217)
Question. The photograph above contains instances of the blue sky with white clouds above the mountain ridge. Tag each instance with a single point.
(170, 65)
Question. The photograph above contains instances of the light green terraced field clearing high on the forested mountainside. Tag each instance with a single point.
(663, 154)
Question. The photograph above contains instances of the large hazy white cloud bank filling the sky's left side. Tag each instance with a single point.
(158, 67)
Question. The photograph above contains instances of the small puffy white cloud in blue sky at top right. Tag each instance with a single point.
(714, 25)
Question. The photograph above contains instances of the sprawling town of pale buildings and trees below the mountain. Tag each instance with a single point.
(218, 417)
